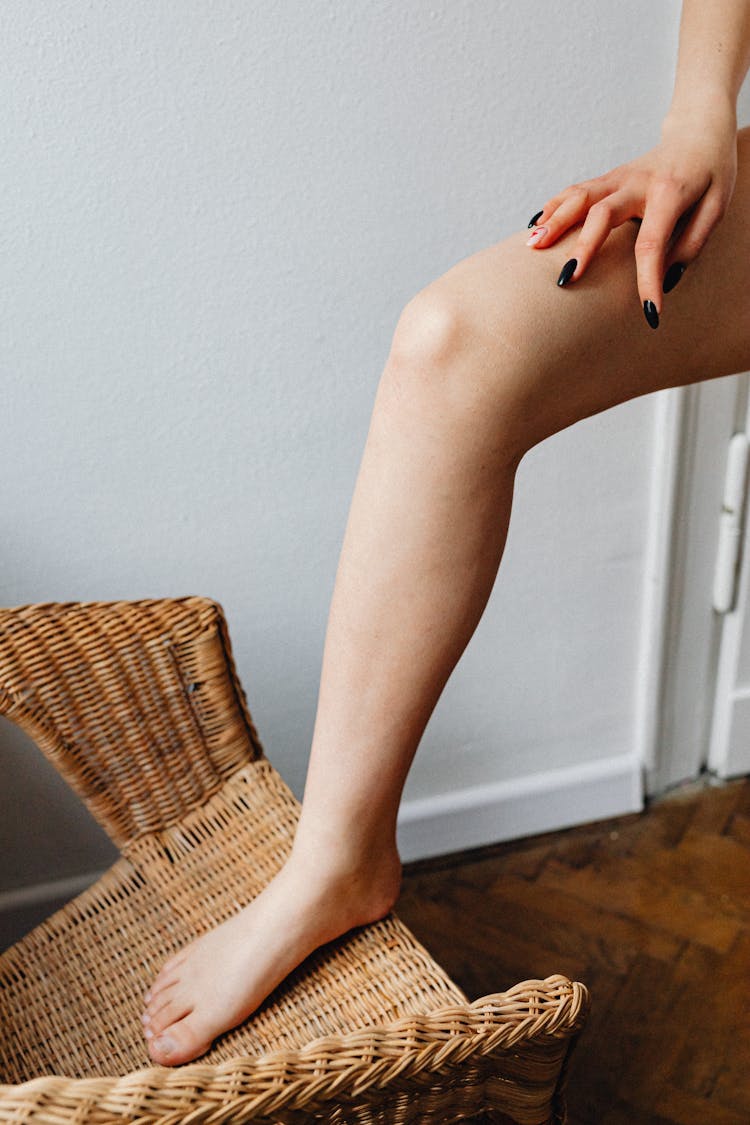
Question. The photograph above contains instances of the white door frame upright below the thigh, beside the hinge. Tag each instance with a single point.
(681, 632)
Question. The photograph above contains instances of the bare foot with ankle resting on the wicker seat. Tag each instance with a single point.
(220, 979)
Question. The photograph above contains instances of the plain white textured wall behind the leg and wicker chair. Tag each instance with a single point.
(212, 217)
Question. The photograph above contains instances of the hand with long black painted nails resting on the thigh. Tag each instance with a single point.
(681, 190)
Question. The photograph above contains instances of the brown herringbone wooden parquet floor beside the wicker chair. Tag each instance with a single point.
(652, 912)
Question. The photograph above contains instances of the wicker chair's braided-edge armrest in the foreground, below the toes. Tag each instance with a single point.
(514, 1042)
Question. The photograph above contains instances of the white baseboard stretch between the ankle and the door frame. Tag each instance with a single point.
(520, 807)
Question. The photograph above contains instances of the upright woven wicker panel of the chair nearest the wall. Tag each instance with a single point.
(138, 705)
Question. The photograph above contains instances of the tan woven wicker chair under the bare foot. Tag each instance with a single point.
(140, 708)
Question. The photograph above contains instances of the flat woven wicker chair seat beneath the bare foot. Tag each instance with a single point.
(73, 989)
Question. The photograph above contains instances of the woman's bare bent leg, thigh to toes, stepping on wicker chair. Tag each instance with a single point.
(486, 362)
